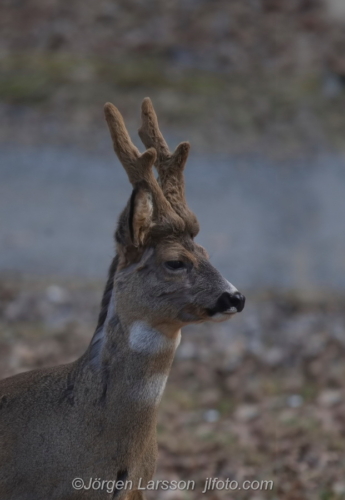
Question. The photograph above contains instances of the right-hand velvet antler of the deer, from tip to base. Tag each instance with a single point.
(169, 165)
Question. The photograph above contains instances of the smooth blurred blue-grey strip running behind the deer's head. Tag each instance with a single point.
(264, 225)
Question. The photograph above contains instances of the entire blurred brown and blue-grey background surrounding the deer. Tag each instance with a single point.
(258, 88)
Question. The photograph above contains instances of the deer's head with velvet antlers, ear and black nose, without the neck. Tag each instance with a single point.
(163, 275)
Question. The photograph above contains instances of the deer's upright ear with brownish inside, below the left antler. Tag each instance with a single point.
(140, 216)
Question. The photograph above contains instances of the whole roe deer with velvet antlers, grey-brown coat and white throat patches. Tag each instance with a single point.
(96, 417)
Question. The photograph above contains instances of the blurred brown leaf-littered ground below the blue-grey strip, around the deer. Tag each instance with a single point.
(261, 397)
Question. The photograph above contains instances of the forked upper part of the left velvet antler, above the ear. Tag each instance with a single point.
(138, 166)
